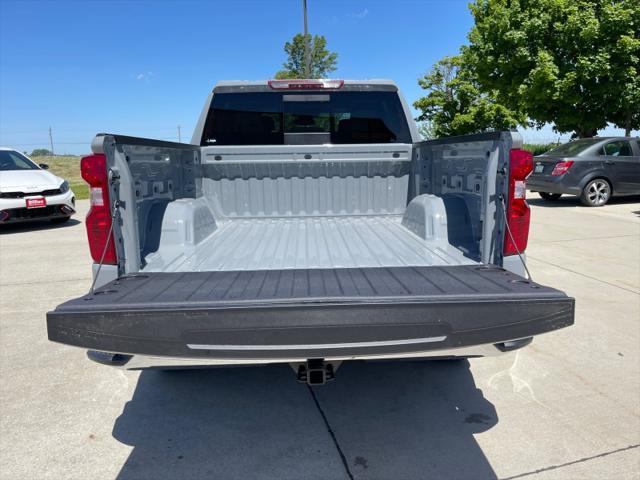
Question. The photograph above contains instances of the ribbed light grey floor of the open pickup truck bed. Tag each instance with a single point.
(307, 243)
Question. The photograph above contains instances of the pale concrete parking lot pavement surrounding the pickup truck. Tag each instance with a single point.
(568, 406)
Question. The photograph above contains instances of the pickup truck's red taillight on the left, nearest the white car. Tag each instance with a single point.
(94, 172)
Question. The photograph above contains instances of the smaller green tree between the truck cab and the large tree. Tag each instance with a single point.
(455, 105)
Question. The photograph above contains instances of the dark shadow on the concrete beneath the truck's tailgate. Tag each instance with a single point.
(391, 420)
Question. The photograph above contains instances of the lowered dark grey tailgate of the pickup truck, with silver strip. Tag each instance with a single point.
(309, 313)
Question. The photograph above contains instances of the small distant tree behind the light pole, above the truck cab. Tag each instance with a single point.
(322, 62)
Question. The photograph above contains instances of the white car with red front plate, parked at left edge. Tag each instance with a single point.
(29, 192)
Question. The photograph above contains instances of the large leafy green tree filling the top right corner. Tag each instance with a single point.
(573, 63)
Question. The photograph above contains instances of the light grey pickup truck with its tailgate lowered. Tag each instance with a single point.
(306, 223)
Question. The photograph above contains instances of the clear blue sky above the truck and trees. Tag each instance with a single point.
(143, 67)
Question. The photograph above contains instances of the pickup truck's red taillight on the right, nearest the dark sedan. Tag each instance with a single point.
(518, 213)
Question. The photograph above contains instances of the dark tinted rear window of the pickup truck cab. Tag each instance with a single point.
(275, 118)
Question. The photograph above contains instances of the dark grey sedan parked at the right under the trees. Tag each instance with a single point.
(595, 169)
